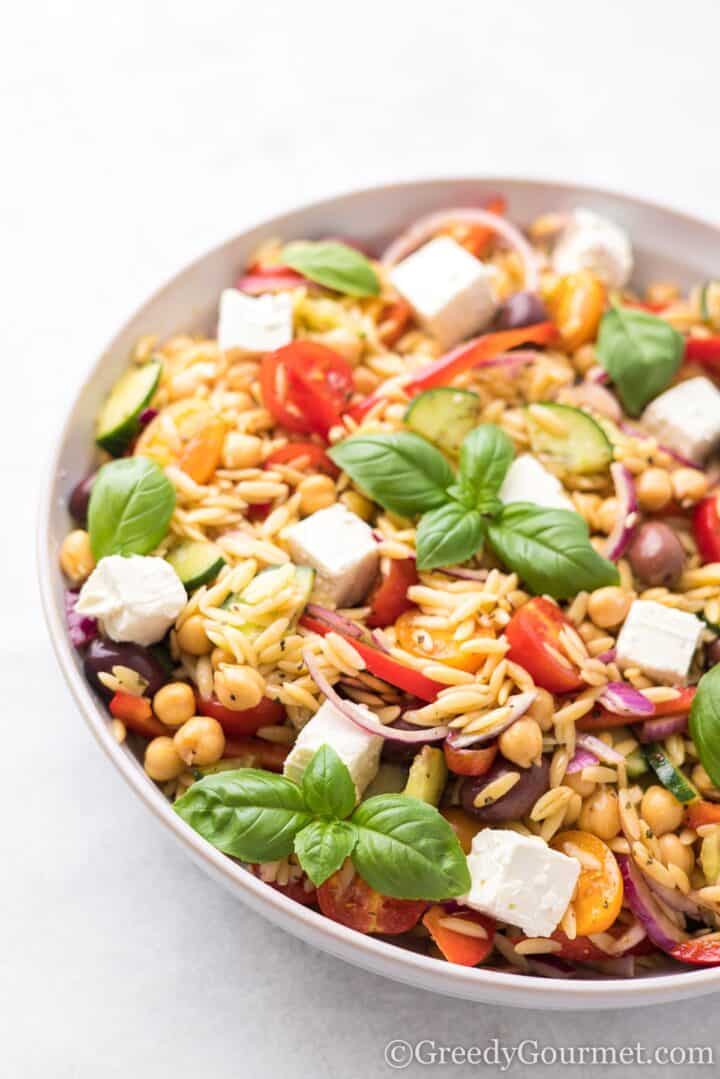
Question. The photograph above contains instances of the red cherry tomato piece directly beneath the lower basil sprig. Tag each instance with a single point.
(351, 902)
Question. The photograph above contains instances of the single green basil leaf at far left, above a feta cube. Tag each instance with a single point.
(130, 508)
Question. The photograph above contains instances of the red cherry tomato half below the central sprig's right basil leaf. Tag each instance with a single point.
(535, 625)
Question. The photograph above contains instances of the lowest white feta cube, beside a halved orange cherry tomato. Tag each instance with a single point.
(520, 880)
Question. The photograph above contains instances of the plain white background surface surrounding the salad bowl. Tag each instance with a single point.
(137, 135)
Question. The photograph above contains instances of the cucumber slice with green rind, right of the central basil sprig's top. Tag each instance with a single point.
(581, 449)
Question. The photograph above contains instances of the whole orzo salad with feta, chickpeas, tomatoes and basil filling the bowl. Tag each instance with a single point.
(405, 586)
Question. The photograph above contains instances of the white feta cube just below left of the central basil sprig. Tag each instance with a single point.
(342, 550)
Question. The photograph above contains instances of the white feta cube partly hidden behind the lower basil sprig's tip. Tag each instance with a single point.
(359, 752)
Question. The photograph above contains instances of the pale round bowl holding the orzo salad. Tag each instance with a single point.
(669, 247)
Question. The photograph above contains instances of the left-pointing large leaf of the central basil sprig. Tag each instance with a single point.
(403, 472)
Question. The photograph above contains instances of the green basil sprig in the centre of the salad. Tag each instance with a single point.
(549, 549)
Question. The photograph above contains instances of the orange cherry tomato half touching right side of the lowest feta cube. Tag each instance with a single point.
(600, 893)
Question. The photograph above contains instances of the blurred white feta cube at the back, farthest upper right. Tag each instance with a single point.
(592, 242)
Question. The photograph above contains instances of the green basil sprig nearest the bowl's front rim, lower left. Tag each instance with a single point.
(401, 846)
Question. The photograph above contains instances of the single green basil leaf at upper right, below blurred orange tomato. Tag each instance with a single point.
(641, 353)
